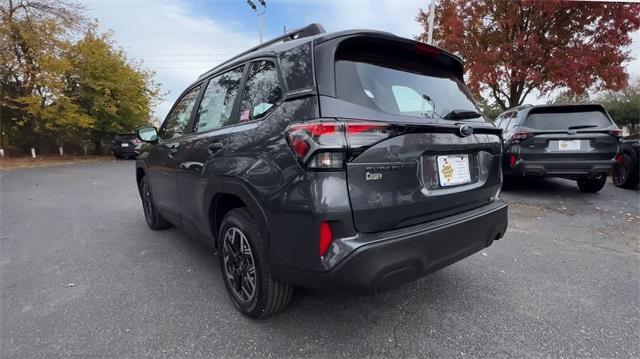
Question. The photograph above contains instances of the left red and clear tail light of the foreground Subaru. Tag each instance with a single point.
(325, 144)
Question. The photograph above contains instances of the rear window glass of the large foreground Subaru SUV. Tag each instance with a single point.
(408, 89)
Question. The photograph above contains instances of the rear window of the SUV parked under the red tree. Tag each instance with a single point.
(566, 118)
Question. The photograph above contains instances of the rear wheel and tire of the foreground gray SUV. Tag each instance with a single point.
(243, 251)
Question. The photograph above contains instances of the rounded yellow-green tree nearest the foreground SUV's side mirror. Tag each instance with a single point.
(116, 94)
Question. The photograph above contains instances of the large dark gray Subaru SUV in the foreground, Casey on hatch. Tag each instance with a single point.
(352, 160)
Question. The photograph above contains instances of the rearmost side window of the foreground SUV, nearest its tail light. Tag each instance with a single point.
(261, 91)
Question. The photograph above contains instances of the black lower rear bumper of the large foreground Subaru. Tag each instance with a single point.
(401, 256)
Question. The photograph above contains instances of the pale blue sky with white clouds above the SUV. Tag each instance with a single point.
(181, 39)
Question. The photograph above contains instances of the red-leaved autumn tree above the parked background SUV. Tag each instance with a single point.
(514, 47)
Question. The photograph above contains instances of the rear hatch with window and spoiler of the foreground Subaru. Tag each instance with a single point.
(415, 165)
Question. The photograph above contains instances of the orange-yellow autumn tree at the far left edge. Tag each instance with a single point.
(33, 35)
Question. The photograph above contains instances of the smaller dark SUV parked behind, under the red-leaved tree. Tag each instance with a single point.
(574, 141)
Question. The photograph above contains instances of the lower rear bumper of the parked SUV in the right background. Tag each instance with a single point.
(559, 168)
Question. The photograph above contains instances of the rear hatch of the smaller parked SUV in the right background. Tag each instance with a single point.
(568, 133)
